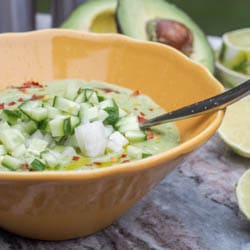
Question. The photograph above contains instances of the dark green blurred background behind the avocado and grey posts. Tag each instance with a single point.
(214, 16)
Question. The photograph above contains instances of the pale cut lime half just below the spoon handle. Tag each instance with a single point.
(234, 129)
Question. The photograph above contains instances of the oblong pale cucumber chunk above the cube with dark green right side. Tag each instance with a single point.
(65, 105)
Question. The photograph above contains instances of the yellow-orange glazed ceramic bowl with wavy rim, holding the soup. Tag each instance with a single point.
(64, 205)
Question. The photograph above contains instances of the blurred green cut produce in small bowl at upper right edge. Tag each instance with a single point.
(235, 51)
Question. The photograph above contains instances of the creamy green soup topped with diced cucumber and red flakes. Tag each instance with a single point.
(77, 125)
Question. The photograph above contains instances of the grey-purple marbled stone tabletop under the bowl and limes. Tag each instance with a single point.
(193, 208)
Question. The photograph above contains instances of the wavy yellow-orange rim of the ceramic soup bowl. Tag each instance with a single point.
(133, 166)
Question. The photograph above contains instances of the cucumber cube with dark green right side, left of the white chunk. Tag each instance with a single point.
(60, 126)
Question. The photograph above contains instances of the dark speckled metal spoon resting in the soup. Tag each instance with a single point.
(214, 103)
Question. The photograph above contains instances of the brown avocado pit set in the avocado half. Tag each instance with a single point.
(171, 33)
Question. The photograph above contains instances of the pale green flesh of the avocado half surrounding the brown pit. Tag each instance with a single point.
(133, 15)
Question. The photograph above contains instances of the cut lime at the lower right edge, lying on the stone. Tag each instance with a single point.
(243, 193)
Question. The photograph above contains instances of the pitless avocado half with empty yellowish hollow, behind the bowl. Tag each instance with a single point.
(93, 15)
